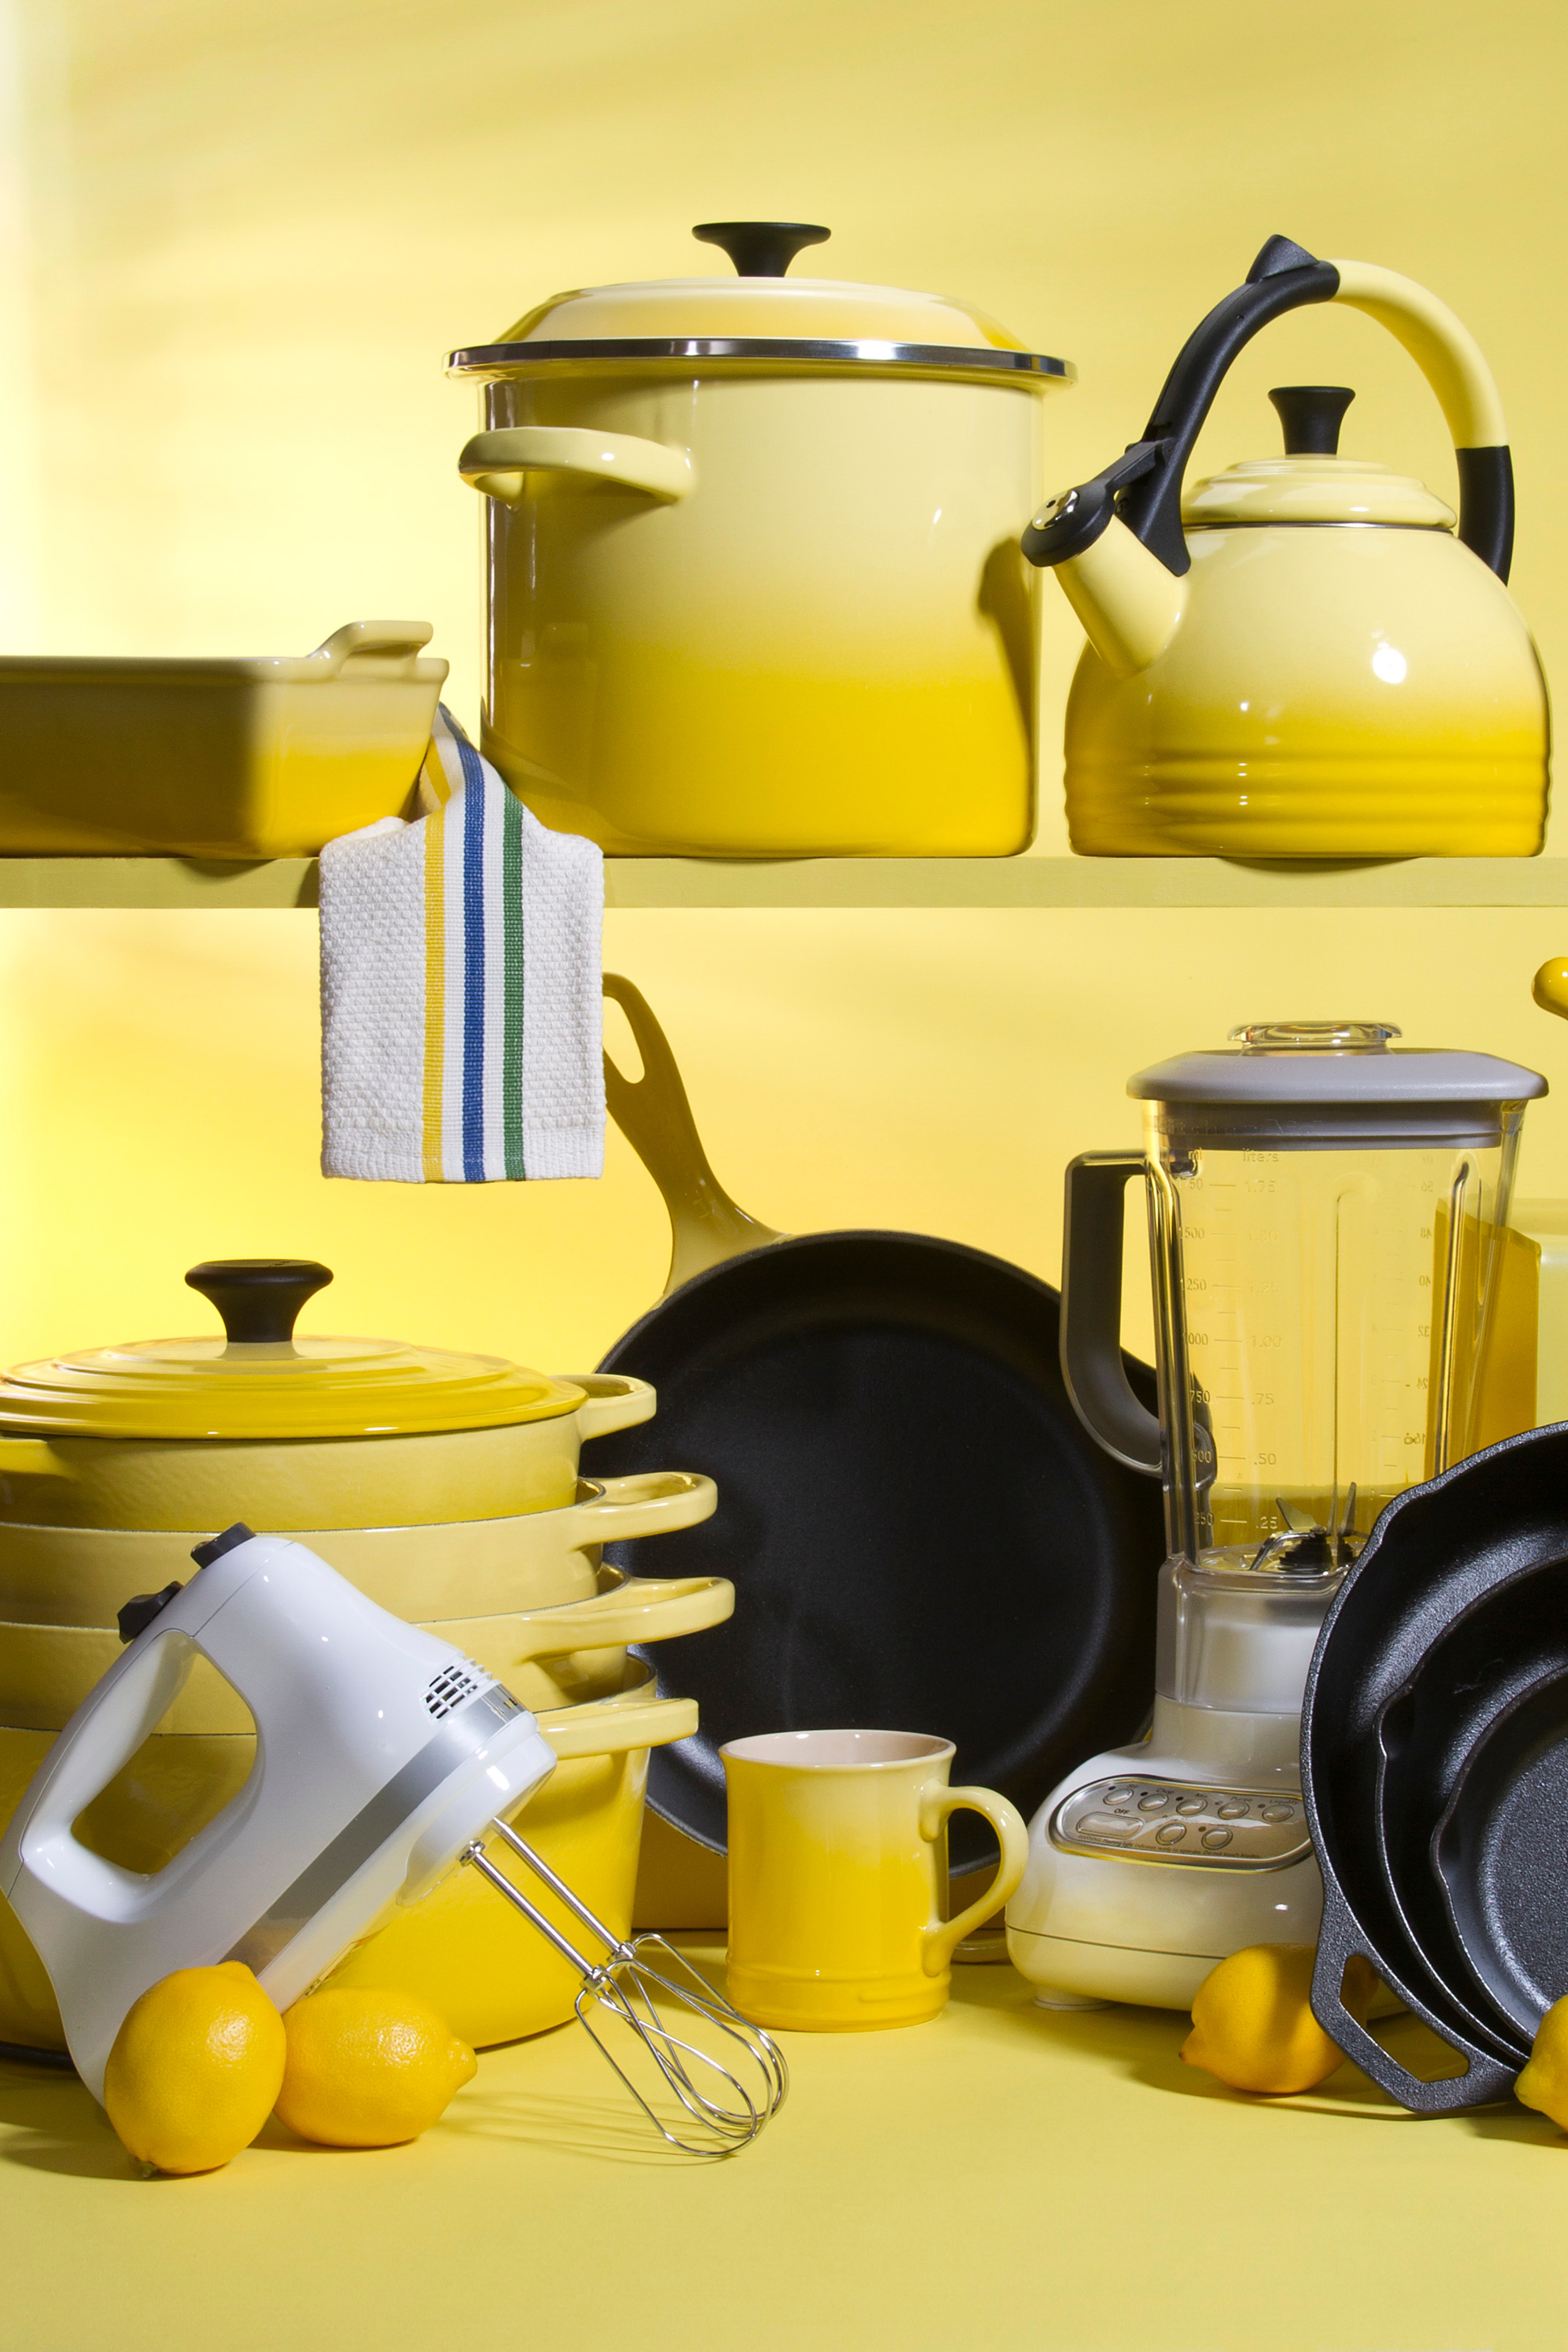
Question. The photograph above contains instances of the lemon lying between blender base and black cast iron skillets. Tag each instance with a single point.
(1252, 2019)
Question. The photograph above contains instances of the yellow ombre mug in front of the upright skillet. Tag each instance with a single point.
(838, 1862)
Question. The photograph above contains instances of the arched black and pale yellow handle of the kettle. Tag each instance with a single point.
(1148, 488)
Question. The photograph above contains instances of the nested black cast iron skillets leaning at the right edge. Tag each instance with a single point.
(1485, 1544)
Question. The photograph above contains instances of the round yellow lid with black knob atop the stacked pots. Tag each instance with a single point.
(264, 1382)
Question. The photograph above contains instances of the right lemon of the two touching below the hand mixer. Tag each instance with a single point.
(368, 2066)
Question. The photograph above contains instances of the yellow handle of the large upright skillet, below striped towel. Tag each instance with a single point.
(655, 1116)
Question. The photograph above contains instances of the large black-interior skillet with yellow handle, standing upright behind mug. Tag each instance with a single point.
(920, 1532)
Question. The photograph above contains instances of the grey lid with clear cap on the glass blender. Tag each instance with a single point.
(1332, 1062)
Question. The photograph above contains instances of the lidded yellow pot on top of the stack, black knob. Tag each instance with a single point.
(290, 1434)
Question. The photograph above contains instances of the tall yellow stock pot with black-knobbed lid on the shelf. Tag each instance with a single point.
(753, 563)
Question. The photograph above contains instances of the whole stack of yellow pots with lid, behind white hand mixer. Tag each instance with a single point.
(443, 1485)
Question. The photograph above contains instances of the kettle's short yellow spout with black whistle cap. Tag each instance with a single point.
(1125, 596)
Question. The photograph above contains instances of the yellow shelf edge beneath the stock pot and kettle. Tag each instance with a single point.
(852, 883)
